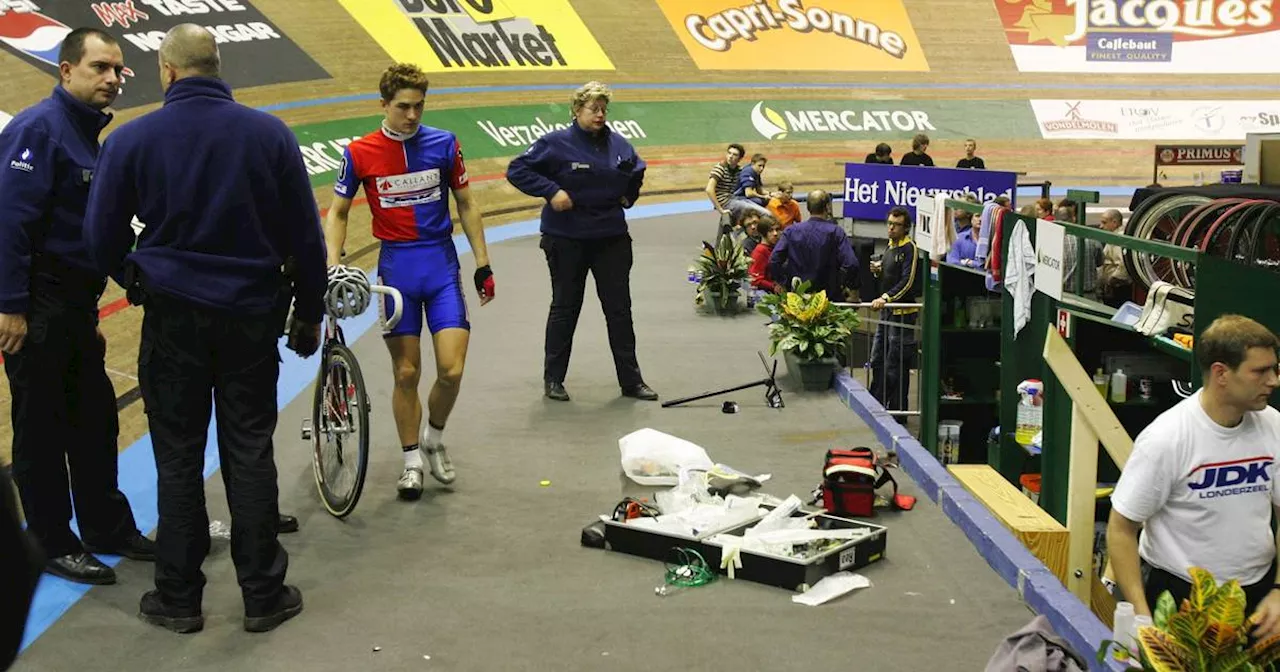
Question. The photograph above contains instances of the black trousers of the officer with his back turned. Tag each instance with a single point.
(193, 360)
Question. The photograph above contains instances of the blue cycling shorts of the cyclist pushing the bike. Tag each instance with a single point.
(429, 281)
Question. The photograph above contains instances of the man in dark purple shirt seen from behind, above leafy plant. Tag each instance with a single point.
(816, 250)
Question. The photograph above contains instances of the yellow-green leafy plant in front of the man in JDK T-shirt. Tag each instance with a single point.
(1206, 633)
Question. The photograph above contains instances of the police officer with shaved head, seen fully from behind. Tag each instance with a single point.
(227, 205)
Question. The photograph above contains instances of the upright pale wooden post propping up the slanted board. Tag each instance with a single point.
(1081, 501)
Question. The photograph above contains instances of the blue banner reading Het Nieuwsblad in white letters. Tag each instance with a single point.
(874, 190)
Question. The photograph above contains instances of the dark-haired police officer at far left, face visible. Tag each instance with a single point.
(65, 418)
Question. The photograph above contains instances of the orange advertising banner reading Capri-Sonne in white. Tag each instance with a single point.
(797, 35)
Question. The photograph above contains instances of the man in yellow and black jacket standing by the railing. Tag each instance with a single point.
(894, 345)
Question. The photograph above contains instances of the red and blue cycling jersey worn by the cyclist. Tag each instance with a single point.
(406, 182)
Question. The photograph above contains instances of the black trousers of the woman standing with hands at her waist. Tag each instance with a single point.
(610, 263)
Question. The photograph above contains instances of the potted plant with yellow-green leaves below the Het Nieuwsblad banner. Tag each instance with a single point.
(810, 331)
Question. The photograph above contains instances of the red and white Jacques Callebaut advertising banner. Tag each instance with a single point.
(1142, 36)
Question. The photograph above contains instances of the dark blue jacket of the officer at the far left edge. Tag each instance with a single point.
(47, 166)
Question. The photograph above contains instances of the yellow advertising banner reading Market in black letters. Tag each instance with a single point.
(482, 35)
